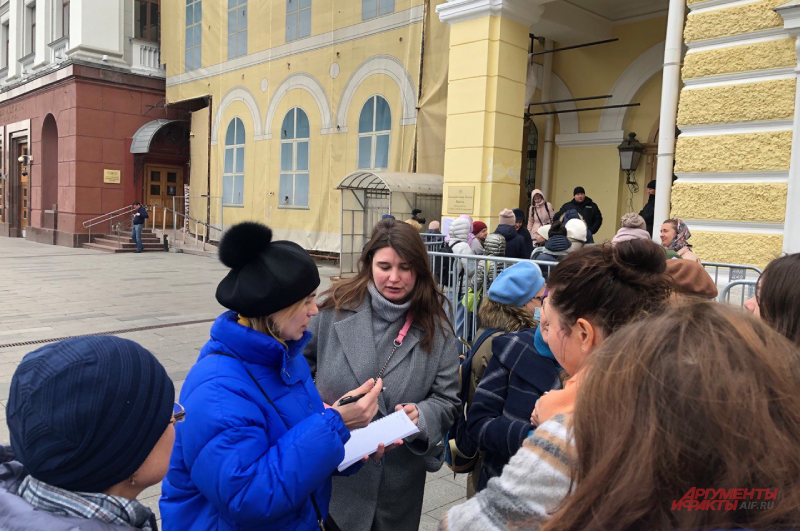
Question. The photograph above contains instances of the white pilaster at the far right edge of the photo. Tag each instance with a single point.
(791, 229)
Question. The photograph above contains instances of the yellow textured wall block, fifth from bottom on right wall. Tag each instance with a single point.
(736, 59)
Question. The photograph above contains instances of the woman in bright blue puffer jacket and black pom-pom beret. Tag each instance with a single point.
(262, 448)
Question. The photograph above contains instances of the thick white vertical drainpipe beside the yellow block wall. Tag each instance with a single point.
(670, 90)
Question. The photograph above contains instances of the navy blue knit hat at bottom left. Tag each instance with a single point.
(85, 413)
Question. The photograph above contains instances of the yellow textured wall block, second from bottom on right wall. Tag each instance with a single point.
(765, 202)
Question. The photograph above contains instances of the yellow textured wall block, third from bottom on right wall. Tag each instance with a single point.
(725, 153)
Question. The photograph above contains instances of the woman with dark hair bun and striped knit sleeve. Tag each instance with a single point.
(592, 293)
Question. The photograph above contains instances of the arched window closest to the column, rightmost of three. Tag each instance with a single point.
(293, 188)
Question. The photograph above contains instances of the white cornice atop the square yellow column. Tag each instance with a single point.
(525, 12)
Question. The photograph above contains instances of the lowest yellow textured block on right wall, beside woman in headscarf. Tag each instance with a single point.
(734, 248)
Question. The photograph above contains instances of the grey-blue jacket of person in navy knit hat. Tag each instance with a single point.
(18, 515)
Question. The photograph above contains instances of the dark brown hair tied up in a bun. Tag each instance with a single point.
(610, 285)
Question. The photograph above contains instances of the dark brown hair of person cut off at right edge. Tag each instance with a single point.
(779, 296)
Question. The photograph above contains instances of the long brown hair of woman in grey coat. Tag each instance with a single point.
(427, 301)
